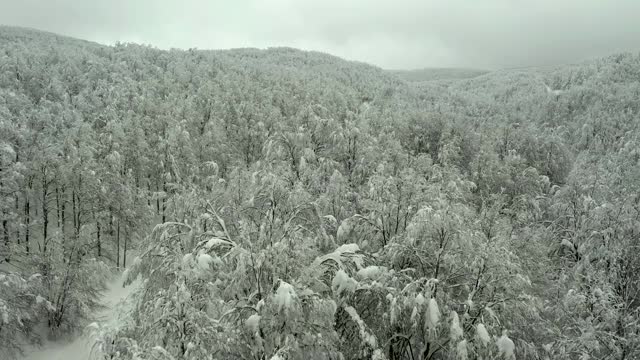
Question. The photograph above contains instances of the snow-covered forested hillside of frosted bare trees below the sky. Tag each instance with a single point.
(292, 205)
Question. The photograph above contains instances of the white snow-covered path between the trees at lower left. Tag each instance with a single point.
(80, 348)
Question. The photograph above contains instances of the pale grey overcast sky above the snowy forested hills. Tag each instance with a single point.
(391, 34)
